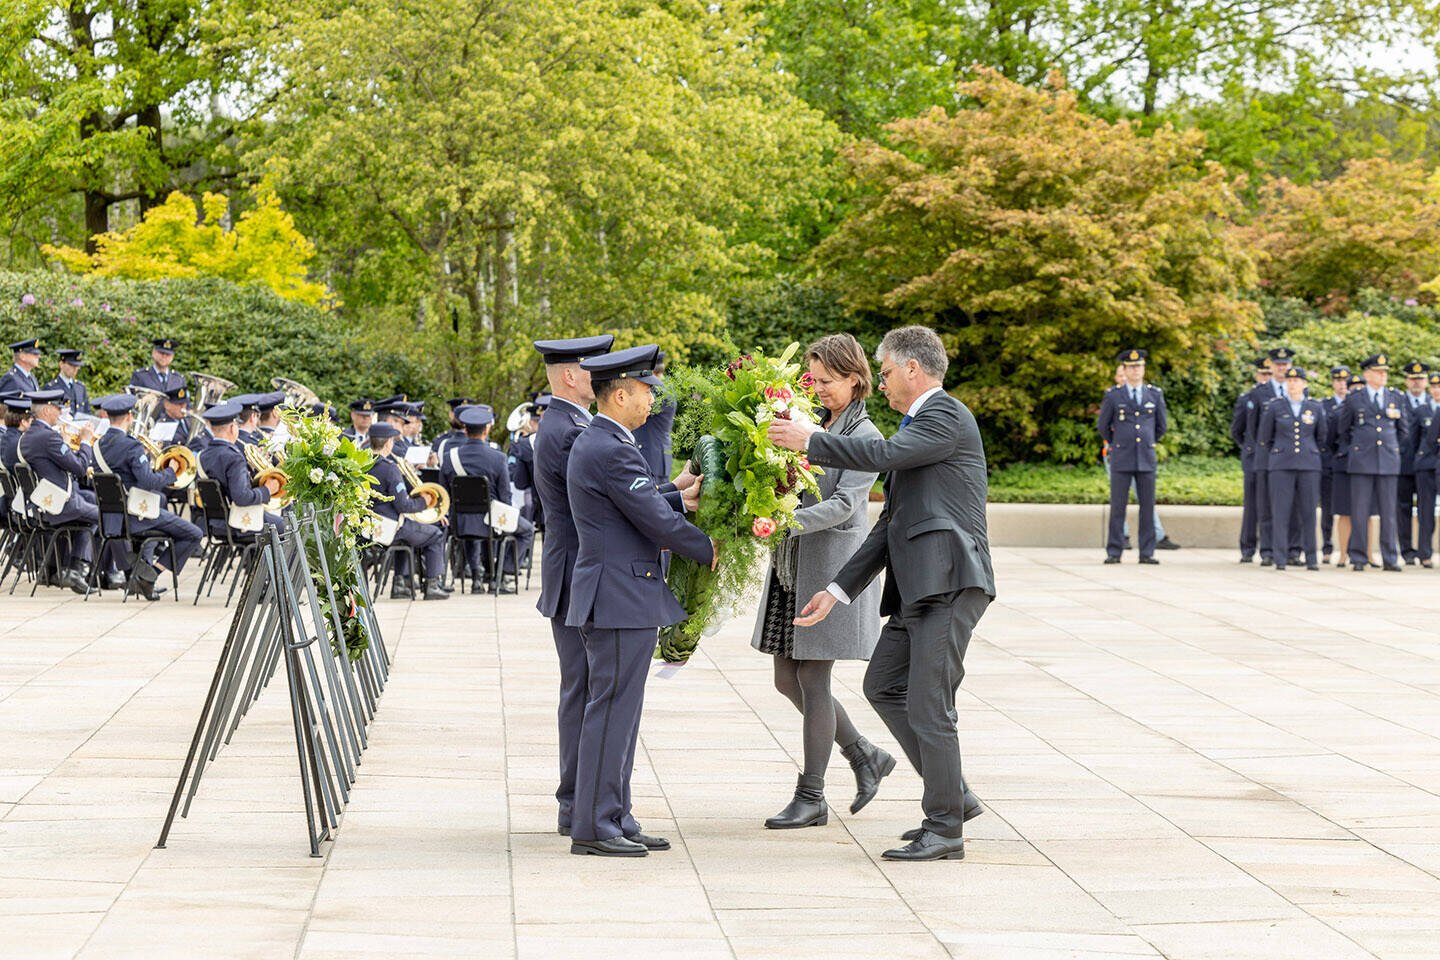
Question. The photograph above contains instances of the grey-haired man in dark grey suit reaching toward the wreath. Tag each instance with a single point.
(932, 545)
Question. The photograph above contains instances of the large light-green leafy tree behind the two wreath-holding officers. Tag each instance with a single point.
(486, 175)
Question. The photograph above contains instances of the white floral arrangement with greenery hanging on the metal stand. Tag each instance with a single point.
(329, 473)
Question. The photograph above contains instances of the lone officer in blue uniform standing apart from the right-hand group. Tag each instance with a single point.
(1133, 420)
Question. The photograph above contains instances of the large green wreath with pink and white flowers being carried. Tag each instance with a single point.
(752, 487)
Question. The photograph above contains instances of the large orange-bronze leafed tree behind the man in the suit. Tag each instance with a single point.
(1039, 241)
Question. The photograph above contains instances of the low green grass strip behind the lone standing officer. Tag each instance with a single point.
(1183, 480)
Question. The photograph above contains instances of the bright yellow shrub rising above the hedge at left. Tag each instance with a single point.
(264, 248)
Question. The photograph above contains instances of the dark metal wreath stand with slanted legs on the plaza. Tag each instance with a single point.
(332, 699)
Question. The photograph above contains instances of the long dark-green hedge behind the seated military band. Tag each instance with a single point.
(246, 335)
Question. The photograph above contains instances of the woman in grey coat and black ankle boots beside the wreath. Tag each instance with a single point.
(832, 530)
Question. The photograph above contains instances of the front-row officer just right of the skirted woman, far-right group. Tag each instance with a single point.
(1374, 427)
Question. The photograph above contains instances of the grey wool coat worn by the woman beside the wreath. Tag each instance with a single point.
(832, 530)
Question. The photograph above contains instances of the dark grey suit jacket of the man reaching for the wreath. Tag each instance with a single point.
(931, 539)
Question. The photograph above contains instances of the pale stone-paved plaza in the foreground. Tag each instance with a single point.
(1197, 761)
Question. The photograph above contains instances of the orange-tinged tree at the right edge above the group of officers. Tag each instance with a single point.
(1376, 227)
